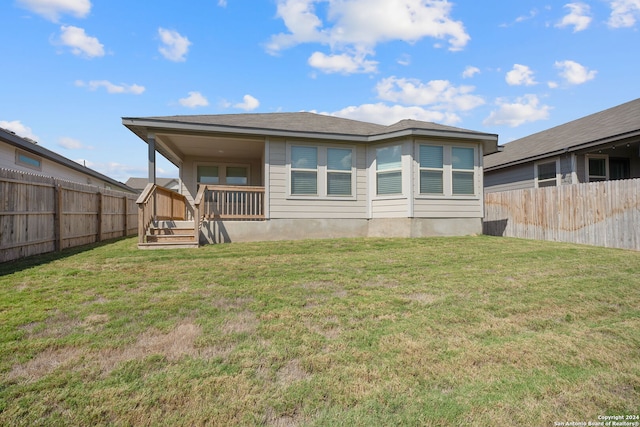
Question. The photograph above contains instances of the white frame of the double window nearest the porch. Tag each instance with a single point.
(322, 171)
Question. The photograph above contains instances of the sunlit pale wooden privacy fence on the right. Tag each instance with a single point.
(599, 213)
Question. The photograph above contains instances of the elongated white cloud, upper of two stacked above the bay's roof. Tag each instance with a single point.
(440, 94)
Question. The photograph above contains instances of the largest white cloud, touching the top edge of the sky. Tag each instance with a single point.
(357, 26)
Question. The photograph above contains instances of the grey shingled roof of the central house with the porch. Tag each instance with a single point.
(310, 124)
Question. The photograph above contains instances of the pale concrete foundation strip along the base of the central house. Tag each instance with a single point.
(298, 229)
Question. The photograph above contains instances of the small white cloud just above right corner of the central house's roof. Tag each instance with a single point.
(523, 110)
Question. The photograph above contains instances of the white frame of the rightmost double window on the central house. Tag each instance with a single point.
(447, 172)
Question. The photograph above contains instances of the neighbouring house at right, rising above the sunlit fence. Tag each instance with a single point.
(599, 147)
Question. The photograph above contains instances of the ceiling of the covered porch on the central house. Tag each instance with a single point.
(230, 147)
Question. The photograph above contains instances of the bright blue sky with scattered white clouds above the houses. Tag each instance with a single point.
(71, 69)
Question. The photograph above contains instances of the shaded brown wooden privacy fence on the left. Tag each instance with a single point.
(41, 214)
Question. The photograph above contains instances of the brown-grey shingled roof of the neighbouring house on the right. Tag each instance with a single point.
(606, 126)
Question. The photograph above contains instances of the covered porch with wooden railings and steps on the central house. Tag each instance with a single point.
(221, 179)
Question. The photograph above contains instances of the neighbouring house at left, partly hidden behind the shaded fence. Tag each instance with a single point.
(25, 155)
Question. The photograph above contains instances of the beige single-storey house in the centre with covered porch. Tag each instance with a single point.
(304, 175)
